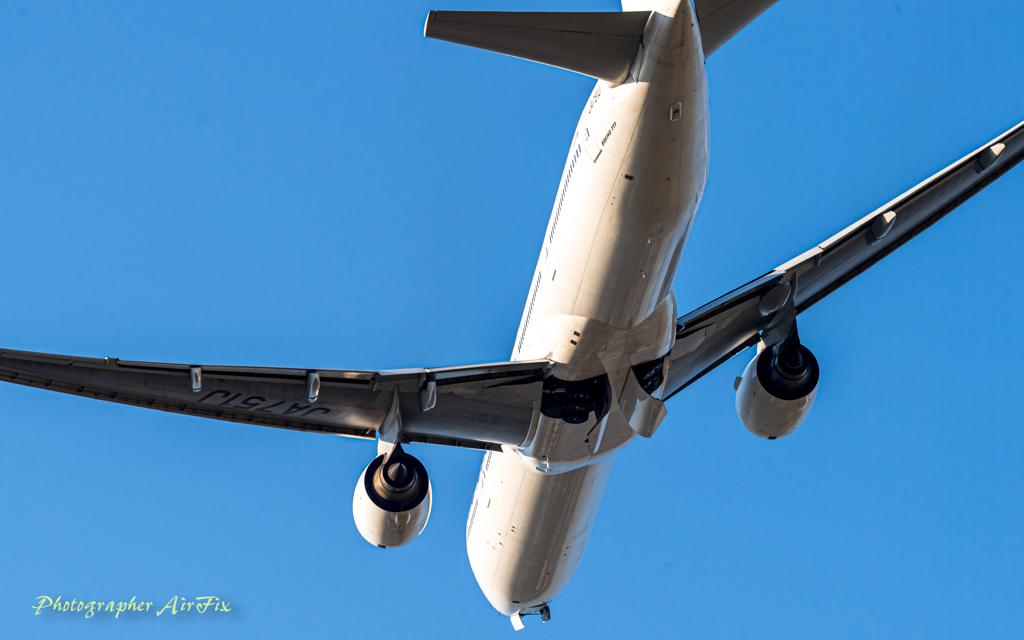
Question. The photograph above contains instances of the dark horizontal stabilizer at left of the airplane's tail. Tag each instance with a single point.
(599, 45)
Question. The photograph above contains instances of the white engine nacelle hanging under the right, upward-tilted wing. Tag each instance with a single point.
(778, 390)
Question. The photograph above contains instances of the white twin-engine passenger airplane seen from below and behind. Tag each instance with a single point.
(601, 348)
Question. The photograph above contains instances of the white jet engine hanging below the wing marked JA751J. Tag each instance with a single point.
(392, 504)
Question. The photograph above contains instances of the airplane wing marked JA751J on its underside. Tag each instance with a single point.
(478, 407)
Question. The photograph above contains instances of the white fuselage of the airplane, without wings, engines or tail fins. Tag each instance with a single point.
(601, 302)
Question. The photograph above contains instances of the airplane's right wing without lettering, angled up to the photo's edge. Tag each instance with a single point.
(723, 328)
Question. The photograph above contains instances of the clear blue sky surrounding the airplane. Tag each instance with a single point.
(319, 186)
